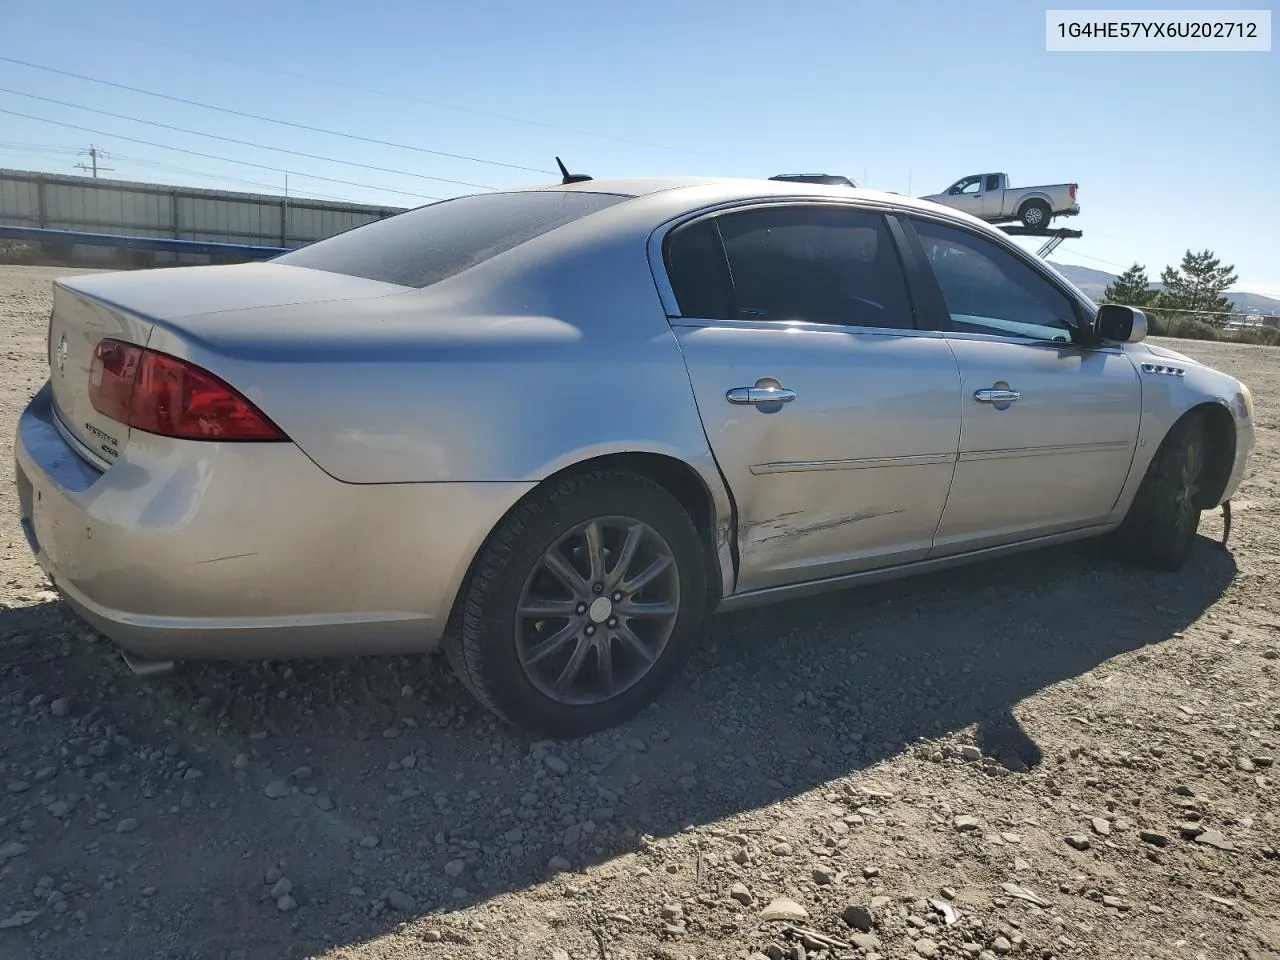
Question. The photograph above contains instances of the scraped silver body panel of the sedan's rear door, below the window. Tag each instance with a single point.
(838, 446)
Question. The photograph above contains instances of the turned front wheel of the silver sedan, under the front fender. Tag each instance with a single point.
(1160, 528)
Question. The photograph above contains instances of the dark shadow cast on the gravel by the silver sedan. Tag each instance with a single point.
(406, 785)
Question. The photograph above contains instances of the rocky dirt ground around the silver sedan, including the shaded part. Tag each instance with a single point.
(1046, 757)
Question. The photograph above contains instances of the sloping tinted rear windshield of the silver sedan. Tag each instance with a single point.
(431, 244)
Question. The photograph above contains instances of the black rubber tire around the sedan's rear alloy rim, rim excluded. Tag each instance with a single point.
(482, 644)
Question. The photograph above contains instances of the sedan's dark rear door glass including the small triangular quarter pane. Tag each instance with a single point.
(813, 264)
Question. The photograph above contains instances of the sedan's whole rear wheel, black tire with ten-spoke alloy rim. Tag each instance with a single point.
(582, 605)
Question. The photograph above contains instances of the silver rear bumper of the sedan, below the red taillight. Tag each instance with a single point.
(184, 551)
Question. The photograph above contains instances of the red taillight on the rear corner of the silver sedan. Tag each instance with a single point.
(166, 396)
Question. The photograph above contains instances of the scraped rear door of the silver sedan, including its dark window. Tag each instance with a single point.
(833, 418)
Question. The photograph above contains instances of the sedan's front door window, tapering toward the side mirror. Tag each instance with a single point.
(989, 290)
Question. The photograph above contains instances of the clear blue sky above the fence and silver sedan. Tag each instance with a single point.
(1171, 150)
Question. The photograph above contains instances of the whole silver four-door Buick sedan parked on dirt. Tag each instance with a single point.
(552, 429)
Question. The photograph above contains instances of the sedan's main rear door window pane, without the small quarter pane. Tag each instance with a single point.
(820, 264)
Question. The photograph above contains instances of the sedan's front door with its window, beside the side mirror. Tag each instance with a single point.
(1049, 426)
